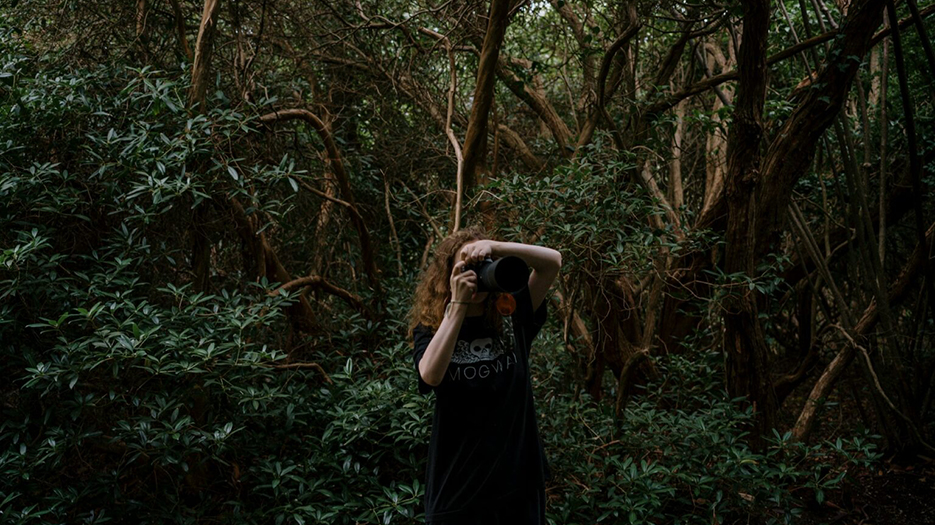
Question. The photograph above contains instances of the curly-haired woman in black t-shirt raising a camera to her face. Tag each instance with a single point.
(486, 464)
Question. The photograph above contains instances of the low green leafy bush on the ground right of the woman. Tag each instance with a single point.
(678, 454)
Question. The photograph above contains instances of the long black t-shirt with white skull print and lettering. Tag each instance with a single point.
(485, 444)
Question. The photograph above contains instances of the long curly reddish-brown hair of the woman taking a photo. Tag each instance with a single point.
(433, 293)
